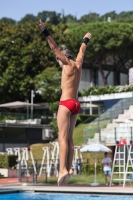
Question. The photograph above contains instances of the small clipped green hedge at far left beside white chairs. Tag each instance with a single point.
(8, 161)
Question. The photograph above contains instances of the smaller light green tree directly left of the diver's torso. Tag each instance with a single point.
(48, 82)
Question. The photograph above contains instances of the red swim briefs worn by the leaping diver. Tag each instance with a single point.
(72, 104)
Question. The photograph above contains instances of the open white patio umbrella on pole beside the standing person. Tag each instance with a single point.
(95, 148)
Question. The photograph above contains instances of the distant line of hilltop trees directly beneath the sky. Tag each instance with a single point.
(56, 18)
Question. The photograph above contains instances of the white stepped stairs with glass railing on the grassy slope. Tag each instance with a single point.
(114, 123)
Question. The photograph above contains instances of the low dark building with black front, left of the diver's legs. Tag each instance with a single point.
(23, 135)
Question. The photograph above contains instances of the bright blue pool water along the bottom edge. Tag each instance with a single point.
(56, 196)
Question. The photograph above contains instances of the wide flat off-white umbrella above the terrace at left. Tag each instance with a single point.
(17, 104)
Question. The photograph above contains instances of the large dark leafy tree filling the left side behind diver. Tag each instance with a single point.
(24, 53)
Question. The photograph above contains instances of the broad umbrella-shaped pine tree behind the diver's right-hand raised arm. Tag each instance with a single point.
(109, 40)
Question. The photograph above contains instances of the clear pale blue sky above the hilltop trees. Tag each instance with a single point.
(17, 9)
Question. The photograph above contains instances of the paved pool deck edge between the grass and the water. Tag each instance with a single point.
(12, 185)
